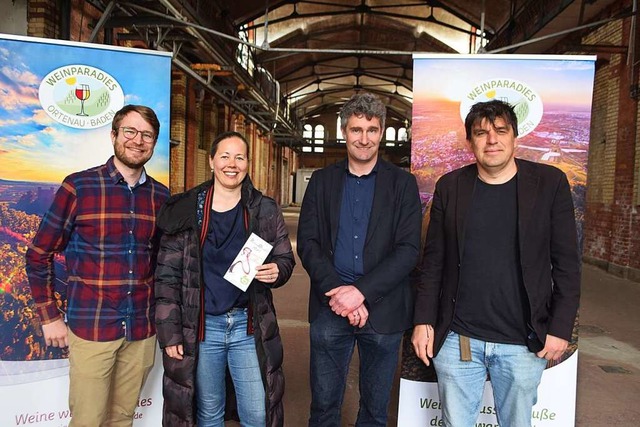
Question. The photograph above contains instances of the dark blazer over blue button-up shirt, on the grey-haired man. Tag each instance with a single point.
(391, 248)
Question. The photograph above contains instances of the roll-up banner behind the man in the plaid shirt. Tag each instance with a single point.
(57, 101)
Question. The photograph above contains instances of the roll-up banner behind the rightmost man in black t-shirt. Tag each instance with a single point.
(552, 96)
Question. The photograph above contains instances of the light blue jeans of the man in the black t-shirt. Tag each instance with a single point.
(515, 373)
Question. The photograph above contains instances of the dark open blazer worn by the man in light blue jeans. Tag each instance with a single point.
(549, 254)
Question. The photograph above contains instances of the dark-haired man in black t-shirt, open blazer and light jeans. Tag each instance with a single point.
(500, 277)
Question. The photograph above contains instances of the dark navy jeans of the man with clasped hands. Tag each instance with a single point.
(332, 344)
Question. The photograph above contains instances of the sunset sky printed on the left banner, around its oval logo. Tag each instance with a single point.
(35, 147)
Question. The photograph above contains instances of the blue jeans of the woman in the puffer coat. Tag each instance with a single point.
(226, 344)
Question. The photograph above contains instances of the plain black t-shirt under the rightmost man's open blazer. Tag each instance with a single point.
(492, 302)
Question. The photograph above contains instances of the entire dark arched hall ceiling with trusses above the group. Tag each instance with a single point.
(283, 62)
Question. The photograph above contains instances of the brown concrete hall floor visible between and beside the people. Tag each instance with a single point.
(608, 365)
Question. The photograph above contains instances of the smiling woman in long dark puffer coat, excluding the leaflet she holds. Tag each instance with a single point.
(205, 325)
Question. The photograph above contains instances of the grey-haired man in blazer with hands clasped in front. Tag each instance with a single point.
(358, 239)
